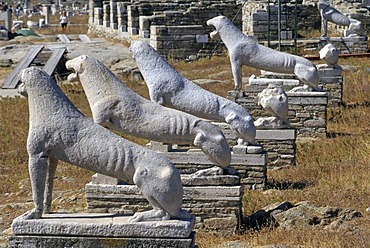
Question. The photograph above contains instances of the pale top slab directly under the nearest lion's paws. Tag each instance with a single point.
(101, 224)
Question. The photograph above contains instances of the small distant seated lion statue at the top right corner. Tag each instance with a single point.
(330, 14)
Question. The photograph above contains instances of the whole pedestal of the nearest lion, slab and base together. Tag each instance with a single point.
(99, 230)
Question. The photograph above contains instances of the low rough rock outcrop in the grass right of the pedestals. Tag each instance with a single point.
(285, 215)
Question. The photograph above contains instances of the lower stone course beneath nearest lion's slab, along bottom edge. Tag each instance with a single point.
(83, 242)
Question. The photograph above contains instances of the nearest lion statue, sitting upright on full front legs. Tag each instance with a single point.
(58, 131)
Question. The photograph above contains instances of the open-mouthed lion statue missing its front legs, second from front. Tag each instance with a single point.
(115, 105)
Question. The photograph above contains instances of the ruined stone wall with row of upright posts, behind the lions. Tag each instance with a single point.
(176, 28)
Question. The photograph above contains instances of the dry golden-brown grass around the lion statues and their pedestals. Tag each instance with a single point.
(333, 171)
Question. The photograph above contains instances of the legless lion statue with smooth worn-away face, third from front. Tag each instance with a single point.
(168, 87)
